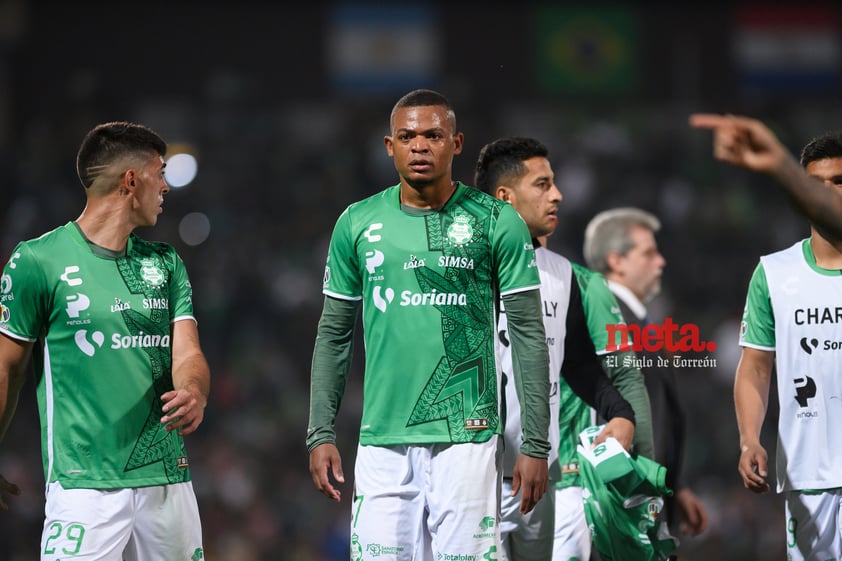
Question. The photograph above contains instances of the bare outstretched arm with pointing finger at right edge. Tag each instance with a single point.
(746, 142)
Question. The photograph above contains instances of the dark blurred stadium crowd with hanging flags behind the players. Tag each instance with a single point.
(286, 137)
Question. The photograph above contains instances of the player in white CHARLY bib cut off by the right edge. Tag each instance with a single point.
(792, 323)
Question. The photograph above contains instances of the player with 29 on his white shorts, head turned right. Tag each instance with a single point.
(107, 318)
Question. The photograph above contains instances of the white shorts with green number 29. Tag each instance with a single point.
(136, 524)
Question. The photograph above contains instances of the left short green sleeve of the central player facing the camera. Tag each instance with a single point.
(342, 278)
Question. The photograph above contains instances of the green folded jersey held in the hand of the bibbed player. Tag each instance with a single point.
(623, 498)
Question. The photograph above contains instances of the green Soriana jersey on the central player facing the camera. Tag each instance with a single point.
(439, 273)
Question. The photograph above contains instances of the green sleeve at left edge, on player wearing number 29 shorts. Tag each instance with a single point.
(24, 298)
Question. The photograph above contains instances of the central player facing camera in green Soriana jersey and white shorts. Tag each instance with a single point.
(427, 260)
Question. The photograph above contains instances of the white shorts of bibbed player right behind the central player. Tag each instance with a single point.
(526, 537)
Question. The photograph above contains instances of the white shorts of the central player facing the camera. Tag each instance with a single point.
(426, 502)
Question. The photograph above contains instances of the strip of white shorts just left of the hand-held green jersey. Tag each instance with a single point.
(572, 537)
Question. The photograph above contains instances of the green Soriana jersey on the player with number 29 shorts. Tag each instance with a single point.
(103, 355)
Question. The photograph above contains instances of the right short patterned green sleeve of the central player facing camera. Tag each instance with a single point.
(517, 268)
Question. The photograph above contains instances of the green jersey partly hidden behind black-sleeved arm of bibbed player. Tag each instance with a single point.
(601, 309)
